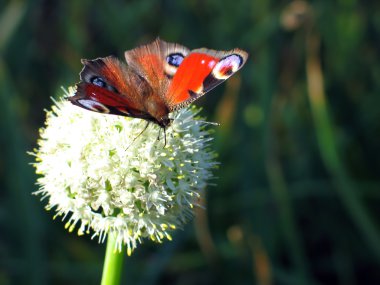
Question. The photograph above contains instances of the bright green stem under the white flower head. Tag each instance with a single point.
(113, 263)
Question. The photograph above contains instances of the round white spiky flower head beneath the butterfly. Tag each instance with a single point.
(101, 175)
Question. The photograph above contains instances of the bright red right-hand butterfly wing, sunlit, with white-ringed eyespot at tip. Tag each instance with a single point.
(202, 70)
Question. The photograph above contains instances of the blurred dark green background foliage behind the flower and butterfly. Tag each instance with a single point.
(297, 199)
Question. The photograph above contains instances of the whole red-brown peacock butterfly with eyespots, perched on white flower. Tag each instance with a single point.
(157, 78)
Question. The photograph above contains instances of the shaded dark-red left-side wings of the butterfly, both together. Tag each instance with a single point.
(109, 86)
